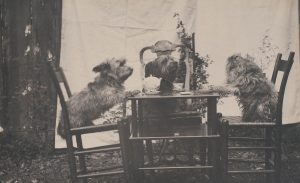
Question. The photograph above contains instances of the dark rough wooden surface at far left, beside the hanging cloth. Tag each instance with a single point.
(30, 31)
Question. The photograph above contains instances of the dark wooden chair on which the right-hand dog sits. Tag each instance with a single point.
(272, 132)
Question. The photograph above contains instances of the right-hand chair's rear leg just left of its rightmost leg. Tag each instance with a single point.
(268, 139)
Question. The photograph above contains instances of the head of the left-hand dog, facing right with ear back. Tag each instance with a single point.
(114, 68)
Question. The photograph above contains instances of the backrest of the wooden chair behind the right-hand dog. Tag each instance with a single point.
(285, 67)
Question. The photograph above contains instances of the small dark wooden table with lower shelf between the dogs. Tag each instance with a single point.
(208, 132)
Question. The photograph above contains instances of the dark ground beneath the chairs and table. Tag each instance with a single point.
(19, 164)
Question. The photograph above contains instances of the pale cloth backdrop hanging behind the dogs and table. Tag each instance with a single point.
(94, 30)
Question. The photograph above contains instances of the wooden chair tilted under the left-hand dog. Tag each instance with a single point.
(57, 76)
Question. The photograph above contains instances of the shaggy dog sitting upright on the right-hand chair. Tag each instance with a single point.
(256, 94)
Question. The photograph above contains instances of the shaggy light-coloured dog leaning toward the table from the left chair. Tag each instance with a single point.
(99, 96)
